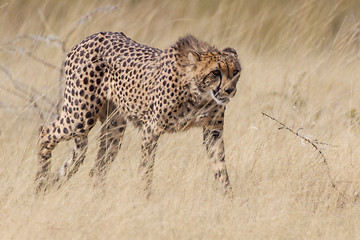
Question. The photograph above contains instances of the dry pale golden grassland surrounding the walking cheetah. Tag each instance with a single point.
(301, 65)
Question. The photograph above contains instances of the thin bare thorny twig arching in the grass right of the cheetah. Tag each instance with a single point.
(311, 142)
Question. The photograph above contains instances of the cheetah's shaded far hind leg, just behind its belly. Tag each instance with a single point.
(111, 136)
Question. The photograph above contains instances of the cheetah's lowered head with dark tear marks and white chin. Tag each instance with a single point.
(216, 74)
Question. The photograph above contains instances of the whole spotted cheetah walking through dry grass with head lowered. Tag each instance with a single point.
(112, 78)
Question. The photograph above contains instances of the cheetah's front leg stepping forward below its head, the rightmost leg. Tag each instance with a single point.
(214, 143)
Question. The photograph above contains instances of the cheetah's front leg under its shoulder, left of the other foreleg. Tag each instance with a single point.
(148, 148)
